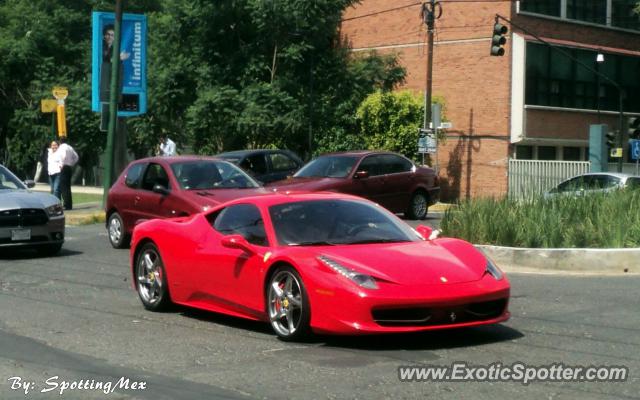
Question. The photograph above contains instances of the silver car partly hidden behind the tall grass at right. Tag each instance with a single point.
(596, 182)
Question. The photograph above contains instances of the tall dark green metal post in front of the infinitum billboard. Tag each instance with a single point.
(113, 101)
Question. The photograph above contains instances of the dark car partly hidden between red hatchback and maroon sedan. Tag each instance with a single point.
(265, 165)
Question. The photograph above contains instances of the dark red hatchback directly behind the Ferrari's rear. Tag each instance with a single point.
(165, 187)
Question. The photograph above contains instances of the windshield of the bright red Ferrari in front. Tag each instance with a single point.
(333, 222)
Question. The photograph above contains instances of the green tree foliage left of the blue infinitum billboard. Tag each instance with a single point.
(45, 44)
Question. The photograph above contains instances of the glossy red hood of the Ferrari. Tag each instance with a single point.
(415, 263)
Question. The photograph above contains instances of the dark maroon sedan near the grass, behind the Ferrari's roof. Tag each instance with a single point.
(388, 179)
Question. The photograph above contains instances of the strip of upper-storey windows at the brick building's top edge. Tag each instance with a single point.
(592, 11)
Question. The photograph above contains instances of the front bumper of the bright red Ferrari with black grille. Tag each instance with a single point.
(395, 308)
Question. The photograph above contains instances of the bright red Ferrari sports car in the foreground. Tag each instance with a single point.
(316, 262)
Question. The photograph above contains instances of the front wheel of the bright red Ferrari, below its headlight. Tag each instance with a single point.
(288, 304)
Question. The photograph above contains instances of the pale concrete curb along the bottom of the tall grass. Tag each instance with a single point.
(601, 261)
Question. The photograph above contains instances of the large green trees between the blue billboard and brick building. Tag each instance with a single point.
(255, 73)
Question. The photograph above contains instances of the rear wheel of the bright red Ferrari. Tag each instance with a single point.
(151, 279)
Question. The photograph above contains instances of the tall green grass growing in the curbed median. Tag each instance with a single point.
(610, 220)
